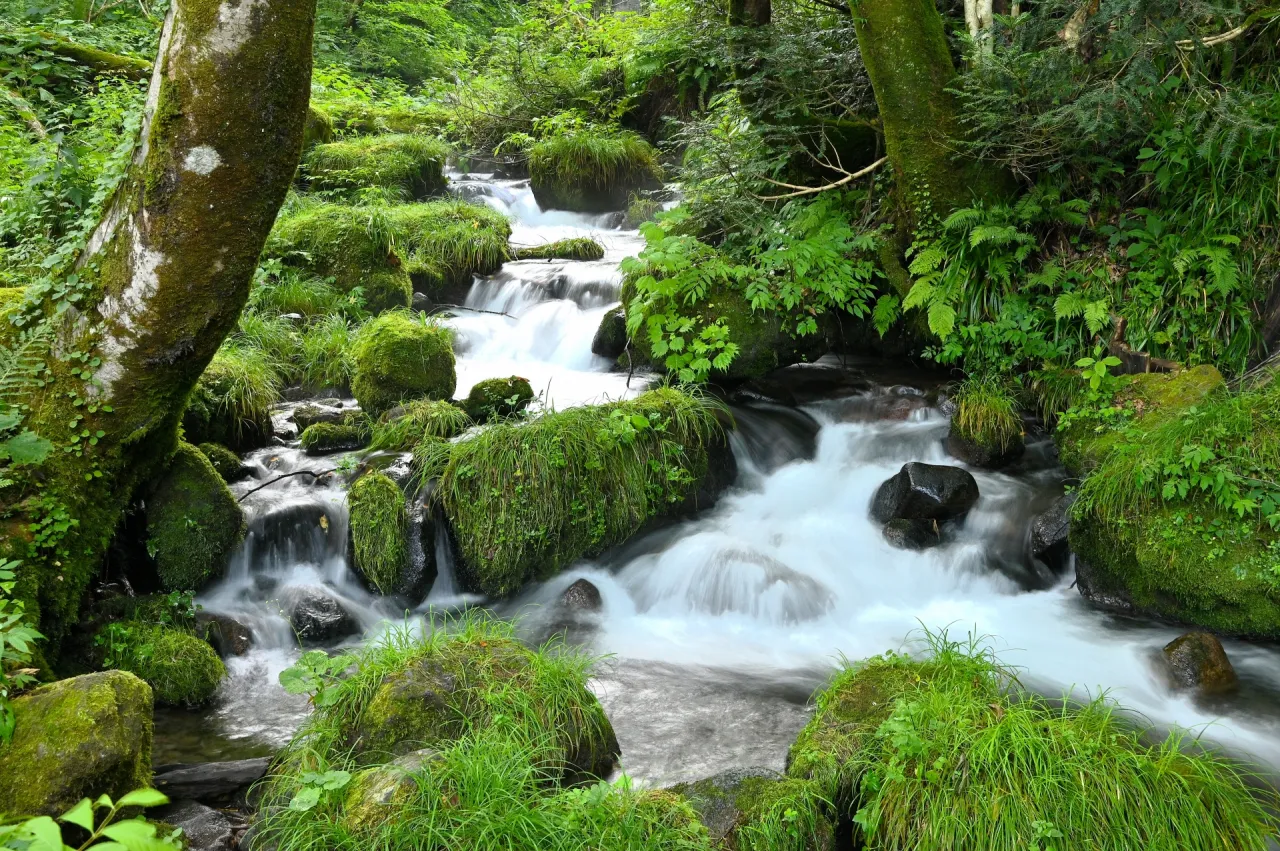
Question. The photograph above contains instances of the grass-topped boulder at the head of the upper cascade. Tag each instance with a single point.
(592, 170)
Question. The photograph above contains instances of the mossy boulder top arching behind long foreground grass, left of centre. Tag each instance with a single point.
(464, 684)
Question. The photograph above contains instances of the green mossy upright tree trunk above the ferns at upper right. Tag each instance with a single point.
(907, 57)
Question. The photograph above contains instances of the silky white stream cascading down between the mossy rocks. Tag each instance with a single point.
(717, 630)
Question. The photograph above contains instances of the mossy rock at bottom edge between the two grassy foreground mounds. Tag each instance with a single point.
(740, 807)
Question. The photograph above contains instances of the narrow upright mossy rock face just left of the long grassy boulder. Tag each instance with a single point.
(380, 525)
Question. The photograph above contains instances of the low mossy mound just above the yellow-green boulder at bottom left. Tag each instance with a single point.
(181, 669)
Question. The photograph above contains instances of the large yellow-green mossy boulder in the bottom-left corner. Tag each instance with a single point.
(80, 738)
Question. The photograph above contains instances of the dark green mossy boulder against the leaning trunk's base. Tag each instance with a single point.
(194, 523)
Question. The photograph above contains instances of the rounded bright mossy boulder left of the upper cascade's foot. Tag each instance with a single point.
(400, 358)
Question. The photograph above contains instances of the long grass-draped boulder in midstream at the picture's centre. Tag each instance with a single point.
(528, 500)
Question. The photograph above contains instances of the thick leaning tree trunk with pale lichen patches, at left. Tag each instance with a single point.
(164, 276)
